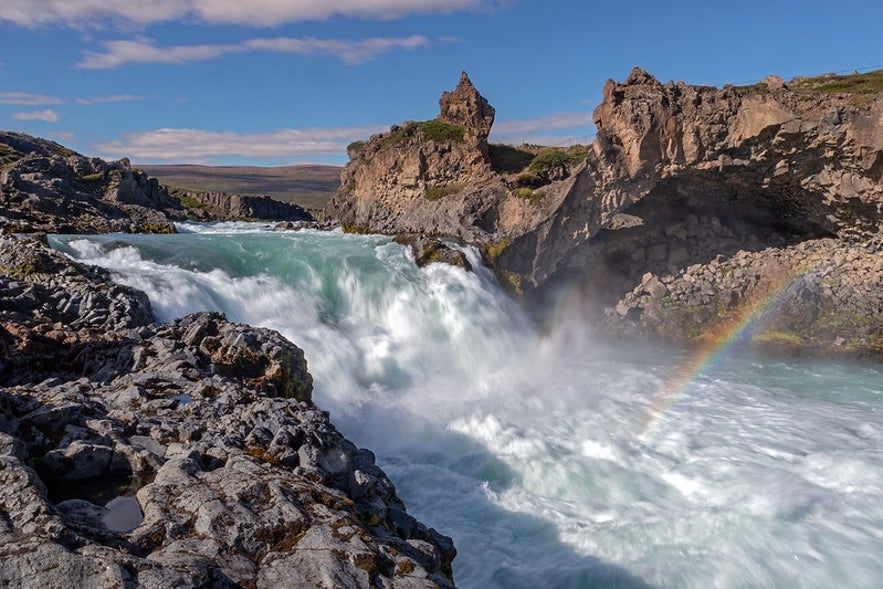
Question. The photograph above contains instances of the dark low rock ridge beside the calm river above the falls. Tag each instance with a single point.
(45, 187)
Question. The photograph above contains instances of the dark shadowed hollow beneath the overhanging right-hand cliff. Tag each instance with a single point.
(685, 221)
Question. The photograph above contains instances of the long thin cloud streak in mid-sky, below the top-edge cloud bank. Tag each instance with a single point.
(352, 52)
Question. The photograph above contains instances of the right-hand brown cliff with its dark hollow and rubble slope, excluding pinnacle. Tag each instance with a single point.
(682, 180)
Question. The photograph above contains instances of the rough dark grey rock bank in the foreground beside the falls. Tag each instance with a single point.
(231, 476)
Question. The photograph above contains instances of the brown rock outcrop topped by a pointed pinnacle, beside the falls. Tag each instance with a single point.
(434, 177)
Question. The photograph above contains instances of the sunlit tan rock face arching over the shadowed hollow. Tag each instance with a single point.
(812, 161)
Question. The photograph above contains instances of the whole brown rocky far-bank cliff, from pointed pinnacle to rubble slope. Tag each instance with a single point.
(687, 210)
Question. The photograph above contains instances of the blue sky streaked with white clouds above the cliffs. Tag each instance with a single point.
(277, 82)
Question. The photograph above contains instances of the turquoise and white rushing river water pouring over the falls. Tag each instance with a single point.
(527, 448)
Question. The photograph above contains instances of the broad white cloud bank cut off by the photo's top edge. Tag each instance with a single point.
(258, 13)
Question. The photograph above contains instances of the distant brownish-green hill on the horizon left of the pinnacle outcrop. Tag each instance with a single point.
(310, 186)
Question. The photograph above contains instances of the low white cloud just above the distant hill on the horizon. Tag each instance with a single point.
(198, 146)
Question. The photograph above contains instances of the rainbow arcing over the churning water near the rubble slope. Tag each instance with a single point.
(715, 345)
